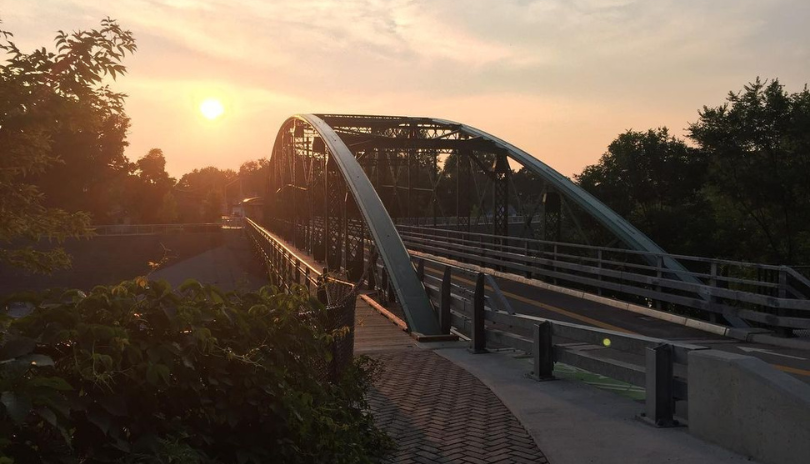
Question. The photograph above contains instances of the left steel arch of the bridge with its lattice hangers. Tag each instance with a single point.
(333, 177)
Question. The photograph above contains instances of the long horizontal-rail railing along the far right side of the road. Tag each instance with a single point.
(771, 296)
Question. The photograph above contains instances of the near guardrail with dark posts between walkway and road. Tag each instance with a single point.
(486, 318)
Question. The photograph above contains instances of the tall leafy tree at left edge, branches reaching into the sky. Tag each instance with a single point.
(52, 102)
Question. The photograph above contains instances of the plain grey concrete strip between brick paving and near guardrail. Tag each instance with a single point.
(575, 423)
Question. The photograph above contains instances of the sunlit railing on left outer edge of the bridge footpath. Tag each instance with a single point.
(287, 270)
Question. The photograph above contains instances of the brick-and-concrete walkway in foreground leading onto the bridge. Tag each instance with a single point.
(421, 401)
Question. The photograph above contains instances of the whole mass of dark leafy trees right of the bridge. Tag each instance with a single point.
(739, 188)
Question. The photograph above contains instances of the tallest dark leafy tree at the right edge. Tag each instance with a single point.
(758, 148)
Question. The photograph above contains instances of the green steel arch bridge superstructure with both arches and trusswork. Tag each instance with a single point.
(339, 183)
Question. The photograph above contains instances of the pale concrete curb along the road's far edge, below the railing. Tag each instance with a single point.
(752, 335)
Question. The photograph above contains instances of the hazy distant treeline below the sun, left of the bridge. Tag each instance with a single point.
(114, 190)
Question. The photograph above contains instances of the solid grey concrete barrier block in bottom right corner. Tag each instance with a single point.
(749, 407)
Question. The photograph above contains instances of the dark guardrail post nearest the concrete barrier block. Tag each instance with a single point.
(660, 404)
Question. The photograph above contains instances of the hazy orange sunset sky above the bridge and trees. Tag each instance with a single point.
(560, 79)
